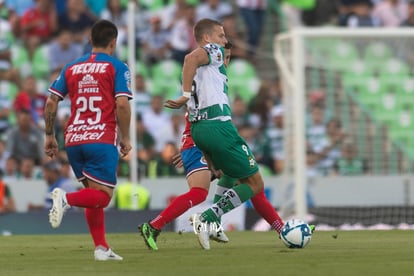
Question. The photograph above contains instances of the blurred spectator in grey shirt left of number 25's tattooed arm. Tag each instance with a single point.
(25, 140)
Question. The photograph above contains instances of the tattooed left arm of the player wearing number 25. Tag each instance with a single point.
(51, 106)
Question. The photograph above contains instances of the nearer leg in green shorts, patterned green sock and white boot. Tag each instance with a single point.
(230, 153)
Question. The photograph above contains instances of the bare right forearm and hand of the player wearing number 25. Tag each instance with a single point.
(123, 115)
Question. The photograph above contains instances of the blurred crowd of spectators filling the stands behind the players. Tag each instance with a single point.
(38, 37)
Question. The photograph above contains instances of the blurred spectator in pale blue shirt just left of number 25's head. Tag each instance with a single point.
(62, 50)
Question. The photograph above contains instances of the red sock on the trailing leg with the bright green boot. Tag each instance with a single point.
(178, 206)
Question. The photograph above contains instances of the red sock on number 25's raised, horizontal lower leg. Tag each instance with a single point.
(88, 198)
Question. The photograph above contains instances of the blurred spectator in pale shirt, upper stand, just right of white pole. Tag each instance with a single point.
(155, 42)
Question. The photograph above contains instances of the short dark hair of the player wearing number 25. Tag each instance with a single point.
(102, 33)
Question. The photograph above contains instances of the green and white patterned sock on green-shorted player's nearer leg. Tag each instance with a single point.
(231, 199)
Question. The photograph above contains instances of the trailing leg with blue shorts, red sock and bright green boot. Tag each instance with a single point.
(198, 179)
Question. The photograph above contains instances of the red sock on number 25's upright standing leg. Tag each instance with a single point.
(96, 221)
